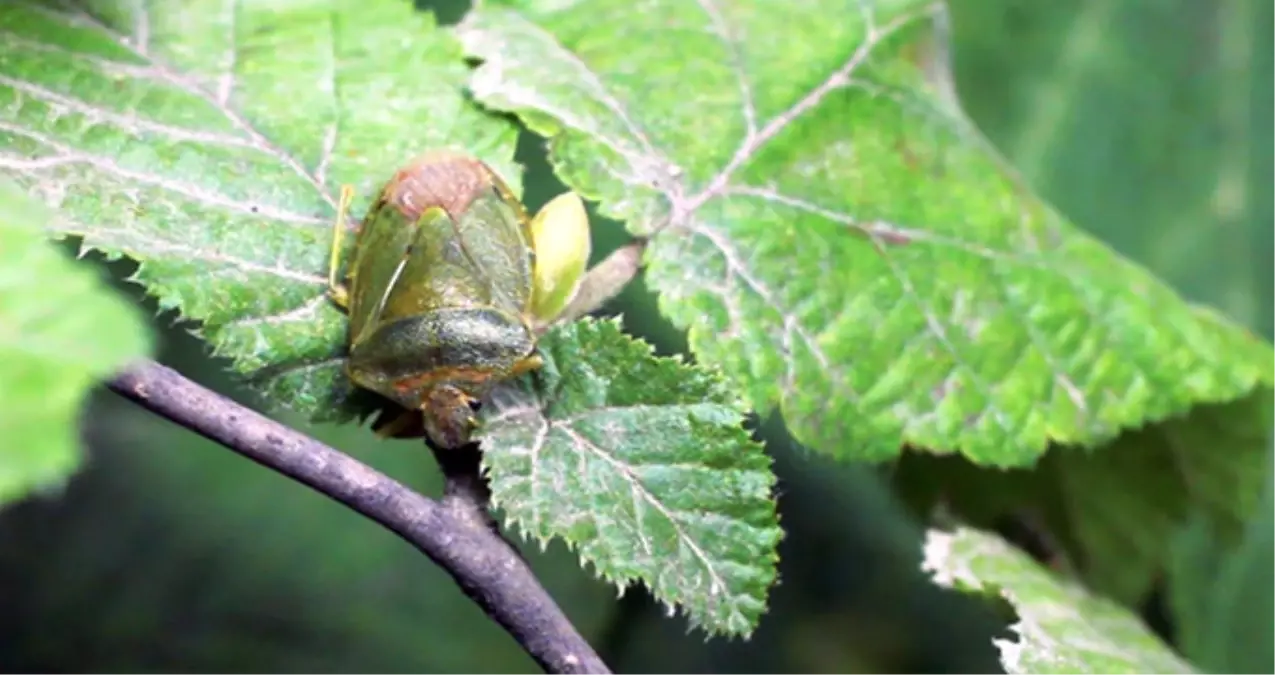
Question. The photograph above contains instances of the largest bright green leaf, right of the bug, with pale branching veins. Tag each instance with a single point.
(838, 239)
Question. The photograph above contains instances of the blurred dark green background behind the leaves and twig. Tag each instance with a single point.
(1137, 118)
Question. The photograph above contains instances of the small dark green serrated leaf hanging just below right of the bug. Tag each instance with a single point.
(642, 465)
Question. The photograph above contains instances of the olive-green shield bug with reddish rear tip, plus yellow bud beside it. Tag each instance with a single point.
(442, 289)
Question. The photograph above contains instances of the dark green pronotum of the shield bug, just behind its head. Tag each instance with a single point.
(471, 349)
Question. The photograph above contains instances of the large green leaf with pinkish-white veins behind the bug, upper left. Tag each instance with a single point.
(208, 141)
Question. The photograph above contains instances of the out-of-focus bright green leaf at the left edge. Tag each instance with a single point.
(61, 332)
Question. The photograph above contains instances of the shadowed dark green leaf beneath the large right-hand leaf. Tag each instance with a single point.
(1112, 515)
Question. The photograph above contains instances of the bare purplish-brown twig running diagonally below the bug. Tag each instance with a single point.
(488, 568)
